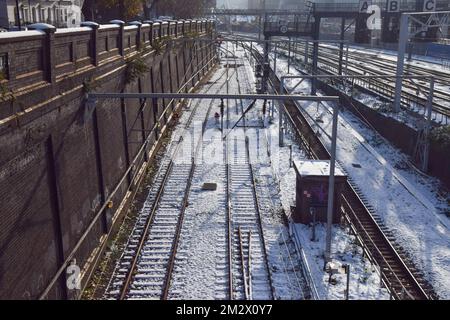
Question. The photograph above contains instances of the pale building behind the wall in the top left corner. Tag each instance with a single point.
(61, 14)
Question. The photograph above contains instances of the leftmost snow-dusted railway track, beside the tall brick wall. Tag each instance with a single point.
(145, 269)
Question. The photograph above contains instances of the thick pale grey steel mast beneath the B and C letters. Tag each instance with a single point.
(403, 38)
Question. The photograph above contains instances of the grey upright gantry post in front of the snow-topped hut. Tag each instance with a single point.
(331, 183)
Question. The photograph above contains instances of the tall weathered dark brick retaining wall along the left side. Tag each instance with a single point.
(59, 160)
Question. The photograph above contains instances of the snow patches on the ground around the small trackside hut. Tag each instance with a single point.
(364, 281)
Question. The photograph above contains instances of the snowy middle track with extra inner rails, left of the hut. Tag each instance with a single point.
(249, 271)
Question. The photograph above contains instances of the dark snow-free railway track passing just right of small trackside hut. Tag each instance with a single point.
(398, 273)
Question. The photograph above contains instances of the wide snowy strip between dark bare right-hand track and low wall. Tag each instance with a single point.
(408, 203)
